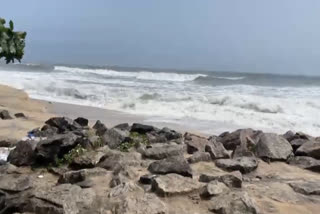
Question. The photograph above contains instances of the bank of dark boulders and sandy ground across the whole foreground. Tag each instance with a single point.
(72, 168)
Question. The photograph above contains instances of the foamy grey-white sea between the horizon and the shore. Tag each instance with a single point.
(207, 100)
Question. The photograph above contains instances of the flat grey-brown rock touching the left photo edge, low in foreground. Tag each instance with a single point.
(15, 182)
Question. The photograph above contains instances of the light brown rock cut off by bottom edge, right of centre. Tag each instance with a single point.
(233, 203)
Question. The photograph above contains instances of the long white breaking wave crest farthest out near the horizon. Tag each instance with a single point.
(141, 75)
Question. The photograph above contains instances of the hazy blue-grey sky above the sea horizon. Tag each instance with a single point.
(277, 36)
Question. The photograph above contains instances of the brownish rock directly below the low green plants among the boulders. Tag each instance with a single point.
(87, 160)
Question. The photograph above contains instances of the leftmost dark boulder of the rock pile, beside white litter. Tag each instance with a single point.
(23, 154)
